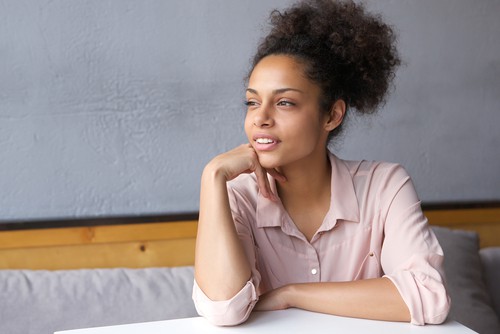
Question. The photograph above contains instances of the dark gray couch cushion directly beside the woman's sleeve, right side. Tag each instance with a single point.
(471, 304)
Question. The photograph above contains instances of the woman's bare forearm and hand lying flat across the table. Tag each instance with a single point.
(376, 299)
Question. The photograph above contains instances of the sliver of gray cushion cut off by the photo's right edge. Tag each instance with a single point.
(490, 257)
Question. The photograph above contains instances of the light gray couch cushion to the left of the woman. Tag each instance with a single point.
(42, 302)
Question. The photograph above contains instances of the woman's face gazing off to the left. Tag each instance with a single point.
(283, 122)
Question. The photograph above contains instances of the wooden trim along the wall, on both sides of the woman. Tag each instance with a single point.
(155, 243)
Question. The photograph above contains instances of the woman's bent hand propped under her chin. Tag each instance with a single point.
(244, 159)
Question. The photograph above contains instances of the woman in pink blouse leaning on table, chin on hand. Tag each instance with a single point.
(284, 222)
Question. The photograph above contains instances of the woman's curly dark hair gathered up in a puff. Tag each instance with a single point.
(348, 52)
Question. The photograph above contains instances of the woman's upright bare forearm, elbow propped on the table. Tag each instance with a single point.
(221, 267)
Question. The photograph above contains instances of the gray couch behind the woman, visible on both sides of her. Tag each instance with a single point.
(42, 302)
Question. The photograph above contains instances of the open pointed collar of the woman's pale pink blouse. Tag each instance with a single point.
(343, 203)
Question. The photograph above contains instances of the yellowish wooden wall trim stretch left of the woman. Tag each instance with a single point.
(163, 244)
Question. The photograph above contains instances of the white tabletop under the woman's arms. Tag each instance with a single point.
(288, 321)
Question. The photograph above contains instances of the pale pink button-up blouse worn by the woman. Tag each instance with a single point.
(375, 227)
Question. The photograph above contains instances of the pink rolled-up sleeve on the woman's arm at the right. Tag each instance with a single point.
(411, 255)
